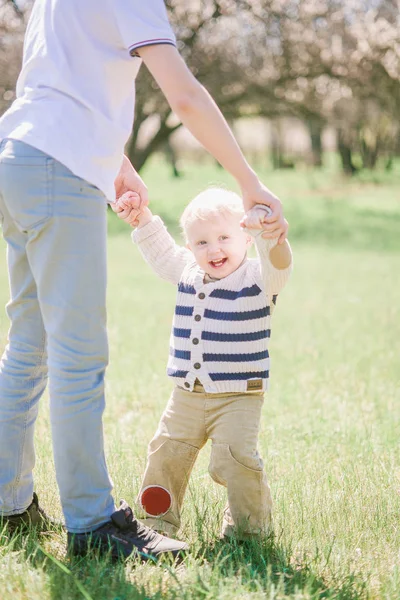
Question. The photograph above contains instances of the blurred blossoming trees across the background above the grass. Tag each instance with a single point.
(311, 66)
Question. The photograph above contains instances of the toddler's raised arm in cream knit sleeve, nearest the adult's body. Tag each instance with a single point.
(156, 245)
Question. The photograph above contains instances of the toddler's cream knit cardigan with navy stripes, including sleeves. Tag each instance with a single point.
(221, 329)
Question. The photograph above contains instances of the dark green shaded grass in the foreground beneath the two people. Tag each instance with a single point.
(265, 568)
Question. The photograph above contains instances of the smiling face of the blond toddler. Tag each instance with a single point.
(219, 244)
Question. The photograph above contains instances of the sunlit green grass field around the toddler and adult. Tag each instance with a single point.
(331, 422)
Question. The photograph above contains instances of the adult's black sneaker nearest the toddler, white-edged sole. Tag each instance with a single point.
(124, 536)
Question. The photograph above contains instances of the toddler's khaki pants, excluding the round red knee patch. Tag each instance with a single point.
(232, 422)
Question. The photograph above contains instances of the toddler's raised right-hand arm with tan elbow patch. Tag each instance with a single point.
(275, 259)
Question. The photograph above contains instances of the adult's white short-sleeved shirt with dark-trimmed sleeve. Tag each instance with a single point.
(76, 90)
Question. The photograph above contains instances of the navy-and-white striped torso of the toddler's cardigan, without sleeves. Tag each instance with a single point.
(220, 332)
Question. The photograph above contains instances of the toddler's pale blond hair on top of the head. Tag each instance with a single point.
(211, 203)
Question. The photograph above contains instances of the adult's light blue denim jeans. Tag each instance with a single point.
(54, 224)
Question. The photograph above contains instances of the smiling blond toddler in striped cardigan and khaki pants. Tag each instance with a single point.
(218, 356)
